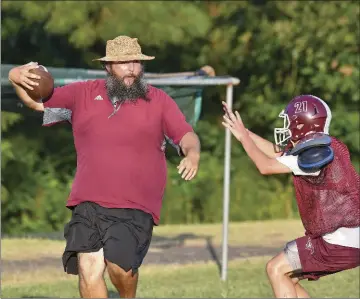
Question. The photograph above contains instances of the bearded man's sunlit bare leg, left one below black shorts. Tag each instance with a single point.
(91, 275)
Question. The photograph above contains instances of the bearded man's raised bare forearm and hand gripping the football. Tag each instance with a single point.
(21, 78)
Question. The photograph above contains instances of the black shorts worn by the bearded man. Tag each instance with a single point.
(124, 235)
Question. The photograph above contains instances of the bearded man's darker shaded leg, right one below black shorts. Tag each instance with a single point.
(124, 281)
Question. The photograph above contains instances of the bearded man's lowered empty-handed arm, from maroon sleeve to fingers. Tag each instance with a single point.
(181, 134)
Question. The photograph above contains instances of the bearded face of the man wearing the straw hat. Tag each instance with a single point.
(126, 81)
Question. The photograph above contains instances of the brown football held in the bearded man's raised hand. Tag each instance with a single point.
(46, 84)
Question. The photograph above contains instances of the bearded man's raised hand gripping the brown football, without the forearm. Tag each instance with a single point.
(21, 75)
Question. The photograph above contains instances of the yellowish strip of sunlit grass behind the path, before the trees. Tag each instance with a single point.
(262, 233)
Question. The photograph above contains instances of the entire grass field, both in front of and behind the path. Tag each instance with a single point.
(246, 277)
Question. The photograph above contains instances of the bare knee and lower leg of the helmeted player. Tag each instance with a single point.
(278, 270)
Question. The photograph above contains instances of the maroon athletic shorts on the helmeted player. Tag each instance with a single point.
(313, 258)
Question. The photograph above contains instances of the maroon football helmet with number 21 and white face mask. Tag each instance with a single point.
(305, 114)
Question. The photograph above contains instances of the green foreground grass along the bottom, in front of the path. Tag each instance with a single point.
(246, 279)
